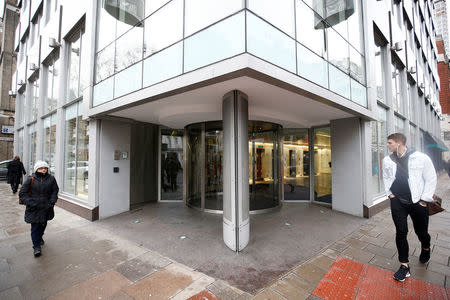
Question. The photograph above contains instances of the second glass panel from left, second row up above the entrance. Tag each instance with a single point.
(129, 48)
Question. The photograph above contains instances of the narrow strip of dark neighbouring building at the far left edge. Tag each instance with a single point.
(9, 22)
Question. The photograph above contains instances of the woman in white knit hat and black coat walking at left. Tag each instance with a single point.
(39, 193)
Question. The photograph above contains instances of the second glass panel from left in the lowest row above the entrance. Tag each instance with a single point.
(127, 81)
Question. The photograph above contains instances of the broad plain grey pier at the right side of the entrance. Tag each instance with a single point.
(347, 160)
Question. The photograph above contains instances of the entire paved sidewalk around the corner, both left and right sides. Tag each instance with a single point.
(83, 260)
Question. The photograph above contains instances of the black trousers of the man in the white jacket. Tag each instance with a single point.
(419, 217)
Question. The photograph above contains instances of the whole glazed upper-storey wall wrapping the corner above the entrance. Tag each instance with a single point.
(294, 35)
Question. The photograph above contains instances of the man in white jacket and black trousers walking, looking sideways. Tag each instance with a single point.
(409, 180)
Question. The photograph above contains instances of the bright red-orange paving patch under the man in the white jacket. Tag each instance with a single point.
(348, 279)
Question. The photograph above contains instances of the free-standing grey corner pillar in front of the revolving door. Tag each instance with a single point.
(236, 221)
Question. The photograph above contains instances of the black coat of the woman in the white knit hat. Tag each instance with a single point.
(44, 194)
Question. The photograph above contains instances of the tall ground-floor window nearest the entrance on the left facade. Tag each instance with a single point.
(76, 156)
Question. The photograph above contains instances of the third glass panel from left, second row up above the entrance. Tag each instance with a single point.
(170, 17)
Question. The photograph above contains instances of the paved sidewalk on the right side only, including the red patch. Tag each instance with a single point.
(361, 265)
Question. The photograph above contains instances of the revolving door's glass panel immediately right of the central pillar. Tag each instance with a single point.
(264, 159)
